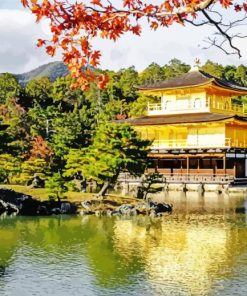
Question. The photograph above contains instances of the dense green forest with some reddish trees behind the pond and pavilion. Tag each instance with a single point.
(62, 137)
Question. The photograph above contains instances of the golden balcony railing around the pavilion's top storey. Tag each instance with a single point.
(205, 105)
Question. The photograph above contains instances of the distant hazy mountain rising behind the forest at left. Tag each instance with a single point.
(52, 70)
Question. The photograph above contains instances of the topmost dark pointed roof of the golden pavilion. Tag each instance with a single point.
(194, 78)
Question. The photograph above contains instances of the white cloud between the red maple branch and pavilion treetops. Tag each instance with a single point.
(184, 43)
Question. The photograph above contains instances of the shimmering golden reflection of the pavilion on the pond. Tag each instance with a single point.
(183, 256)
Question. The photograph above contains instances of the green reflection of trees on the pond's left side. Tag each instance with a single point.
(55, 237)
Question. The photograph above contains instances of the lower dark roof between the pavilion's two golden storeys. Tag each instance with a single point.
(181, 118)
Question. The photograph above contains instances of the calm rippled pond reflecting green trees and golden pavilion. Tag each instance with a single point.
(201, 249)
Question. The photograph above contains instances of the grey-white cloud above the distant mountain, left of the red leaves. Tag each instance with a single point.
(18, 35)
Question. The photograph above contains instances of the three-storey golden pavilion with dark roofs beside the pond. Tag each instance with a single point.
(198, 128)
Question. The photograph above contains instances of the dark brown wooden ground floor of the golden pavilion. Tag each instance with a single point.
(199, 165)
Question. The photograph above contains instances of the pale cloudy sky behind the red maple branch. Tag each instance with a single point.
(19, 54)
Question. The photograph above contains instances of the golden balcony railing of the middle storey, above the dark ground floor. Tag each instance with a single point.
(170, 144)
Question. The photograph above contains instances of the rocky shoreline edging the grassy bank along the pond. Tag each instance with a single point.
(12, 201)
